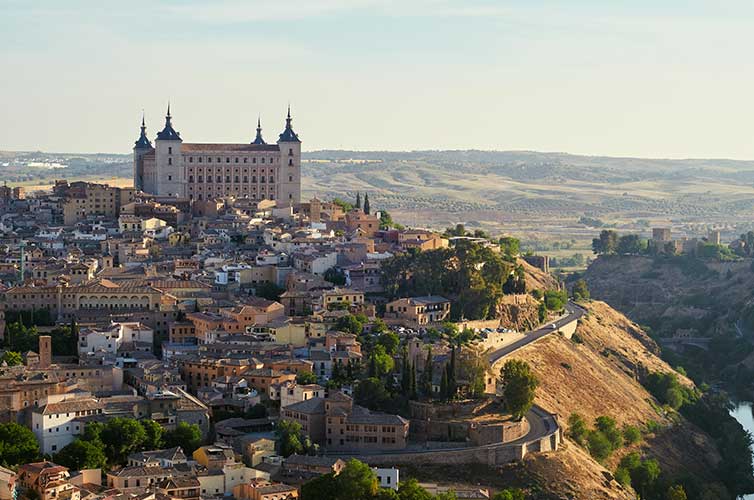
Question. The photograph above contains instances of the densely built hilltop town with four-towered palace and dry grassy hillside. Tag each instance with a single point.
(210, 334)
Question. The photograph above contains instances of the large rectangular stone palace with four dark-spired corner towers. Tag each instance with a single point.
(199, 171)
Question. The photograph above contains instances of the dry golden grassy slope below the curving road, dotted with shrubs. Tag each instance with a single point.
(599, 377)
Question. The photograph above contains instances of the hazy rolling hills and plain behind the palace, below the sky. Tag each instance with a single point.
(496, 190)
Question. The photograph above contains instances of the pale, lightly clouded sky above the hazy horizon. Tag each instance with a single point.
(662, 79)
